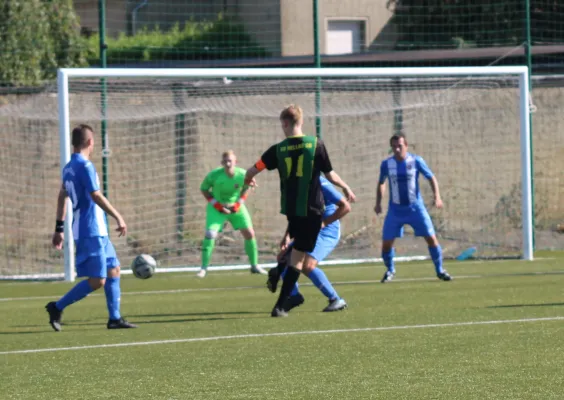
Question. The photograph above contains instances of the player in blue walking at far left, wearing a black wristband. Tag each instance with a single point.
(96, 257)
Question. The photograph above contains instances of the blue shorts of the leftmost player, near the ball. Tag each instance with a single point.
(94, 256)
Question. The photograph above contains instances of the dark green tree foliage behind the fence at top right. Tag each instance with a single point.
(425, 24)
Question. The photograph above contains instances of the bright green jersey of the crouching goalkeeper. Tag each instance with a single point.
(224, 188)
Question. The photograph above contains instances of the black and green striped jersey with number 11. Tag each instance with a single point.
(299, 160)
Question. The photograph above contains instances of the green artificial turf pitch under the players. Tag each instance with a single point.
(427, 339)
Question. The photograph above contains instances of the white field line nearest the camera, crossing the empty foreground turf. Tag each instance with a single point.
(261, 335)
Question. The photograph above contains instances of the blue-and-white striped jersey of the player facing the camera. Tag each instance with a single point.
(403, 178)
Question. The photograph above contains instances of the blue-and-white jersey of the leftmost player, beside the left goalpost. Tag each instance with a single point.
(80, 180)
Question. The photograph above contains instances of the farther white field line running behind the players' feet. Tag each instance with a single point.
(221, 289)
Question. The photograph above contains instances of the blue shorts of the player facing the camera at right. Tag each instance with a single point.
(415, 215)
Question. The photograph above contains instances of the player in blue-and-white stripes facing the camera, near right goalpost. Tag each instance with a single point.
(406, 205)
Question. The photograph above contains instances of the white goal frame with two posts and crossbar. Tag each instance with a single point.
(412, 78)
